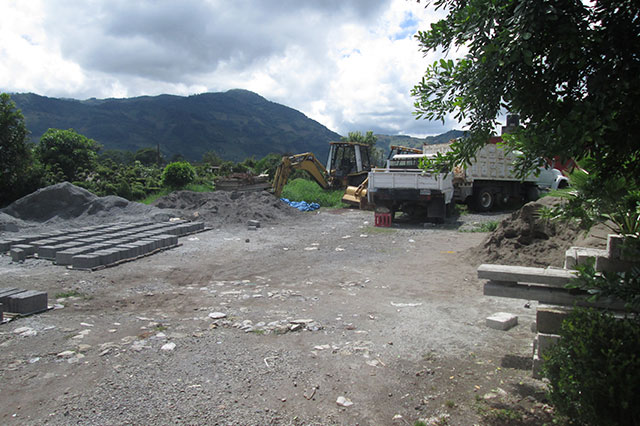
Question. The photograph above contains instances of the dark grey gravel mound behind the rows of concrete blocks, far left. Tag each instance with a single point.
(65, 202)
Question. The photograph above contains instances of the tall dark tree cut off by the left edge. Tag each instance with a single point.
(16, 160)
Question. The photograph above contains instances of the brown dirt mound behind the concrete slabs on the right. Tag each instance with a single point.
(525, 239)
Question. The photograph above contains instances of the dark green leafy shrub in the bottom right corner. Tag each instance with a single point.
(594, 370)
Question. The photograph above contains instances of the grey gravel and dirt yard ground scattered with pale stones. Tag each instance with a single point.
(271, 327)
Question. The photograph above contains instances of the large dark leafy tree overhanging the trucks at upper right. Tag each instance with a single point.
(569, 68)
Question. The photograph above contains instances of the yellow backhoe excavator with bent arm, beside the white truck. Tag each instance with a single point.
(348, 165)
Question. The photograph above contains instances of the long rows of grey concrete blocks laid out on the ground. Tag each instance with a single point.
(91, 247)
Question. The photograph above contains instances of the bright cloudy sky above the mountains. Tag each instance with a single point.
(349, 64)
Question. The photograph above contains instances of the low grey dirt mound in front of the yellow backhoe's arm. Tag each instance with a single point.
(223, 207)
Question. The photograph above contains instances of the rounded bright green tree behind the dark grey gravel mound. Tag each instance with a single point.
(67, 153)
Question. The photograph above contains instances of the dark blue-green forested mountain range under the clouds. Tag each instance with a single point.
(236, 124)
